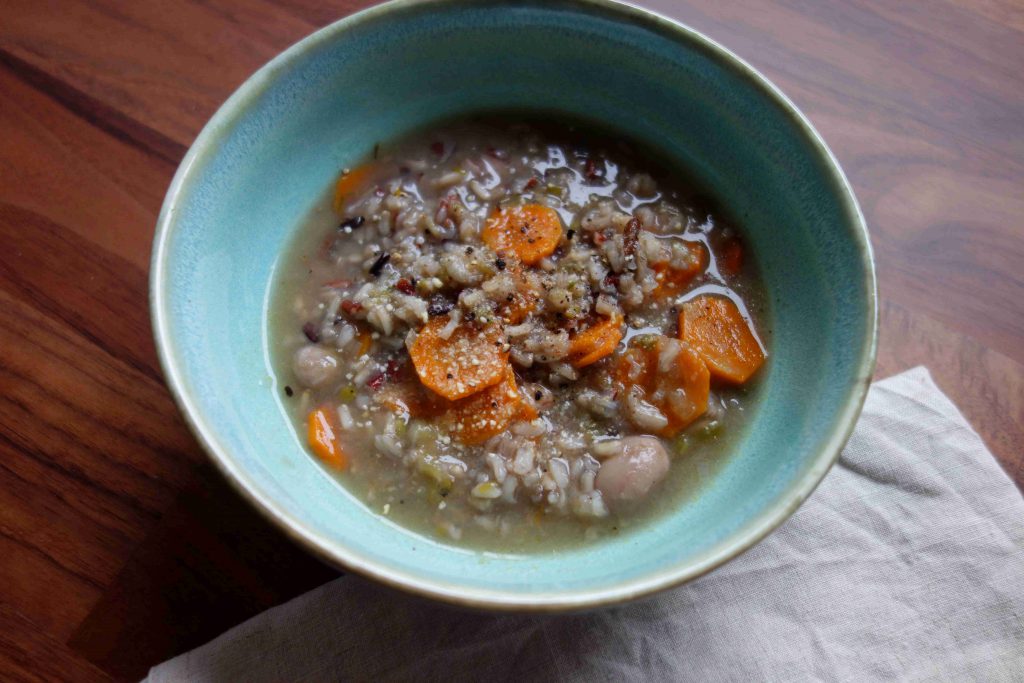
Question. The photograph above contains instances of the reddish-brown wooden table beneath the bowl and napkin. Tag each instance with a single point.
(119, 544)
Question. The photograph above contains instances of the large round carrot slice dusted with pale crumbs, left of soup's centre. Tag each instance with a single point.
(470, 361)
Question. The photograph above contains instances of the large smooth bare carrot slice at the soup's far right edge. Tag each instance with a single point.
(714, 326)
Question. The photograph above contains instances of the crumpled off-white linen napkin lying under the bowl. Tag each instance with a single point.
(907, 564)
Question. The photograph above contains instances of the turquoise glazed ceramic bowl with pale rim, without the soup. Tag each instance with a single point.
(275, 147)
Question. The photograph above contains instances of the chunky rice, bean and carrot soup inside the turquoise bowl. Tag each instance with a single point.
(518, 335)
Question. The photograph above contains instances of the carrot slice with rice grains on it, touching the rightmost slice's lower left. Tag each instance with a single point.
(679, 393)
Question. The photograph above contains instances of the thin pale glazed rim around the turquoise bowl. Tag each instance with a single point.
(339, 556)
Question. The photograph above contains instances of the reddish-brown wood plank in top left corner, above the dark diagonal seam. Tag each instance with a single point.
(163, 67)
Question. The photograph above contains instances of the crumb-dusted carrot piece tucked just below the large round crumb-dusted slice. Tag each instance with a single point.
(478, 418)
